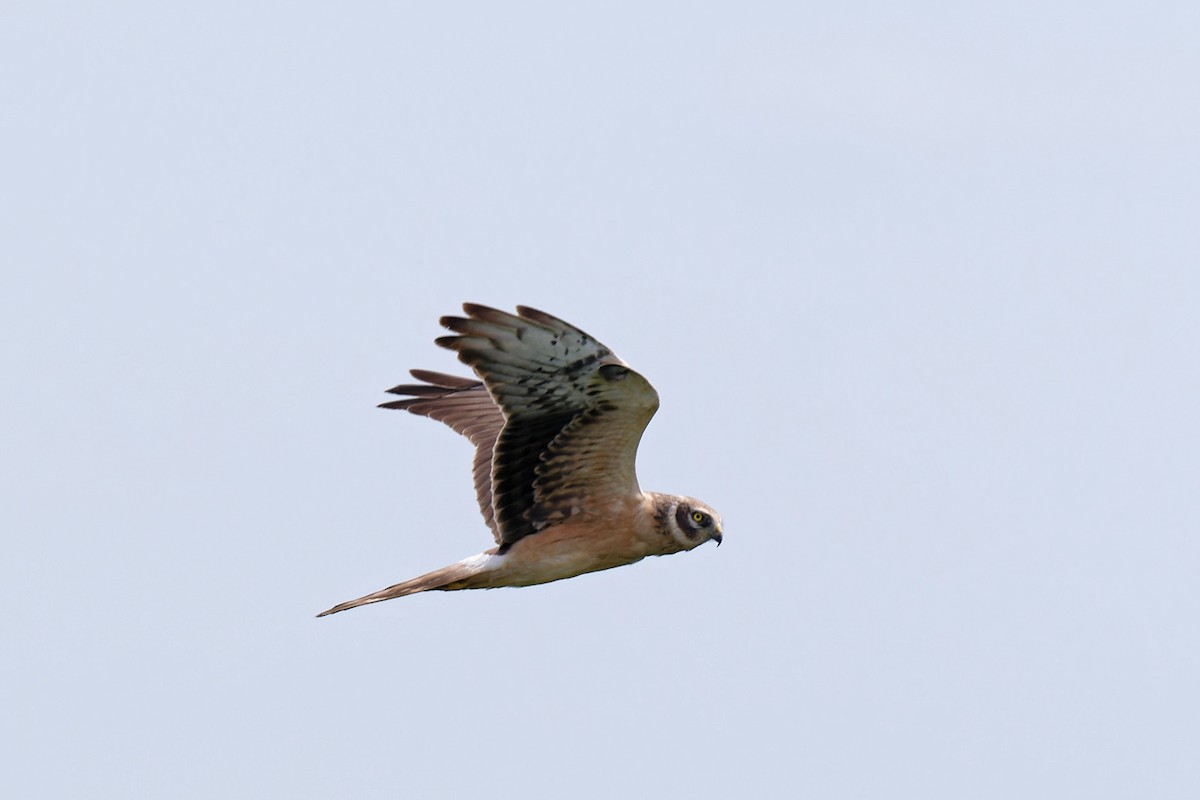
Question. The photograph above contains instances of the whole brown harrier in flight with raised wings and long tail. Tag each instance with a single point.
(556, 418)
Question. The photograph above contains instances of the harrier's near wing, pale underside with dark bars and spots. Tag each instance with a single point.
(574, 416)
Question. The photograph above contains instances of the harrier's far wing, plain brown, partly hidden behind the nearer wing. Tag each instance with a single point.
(466, 407)
